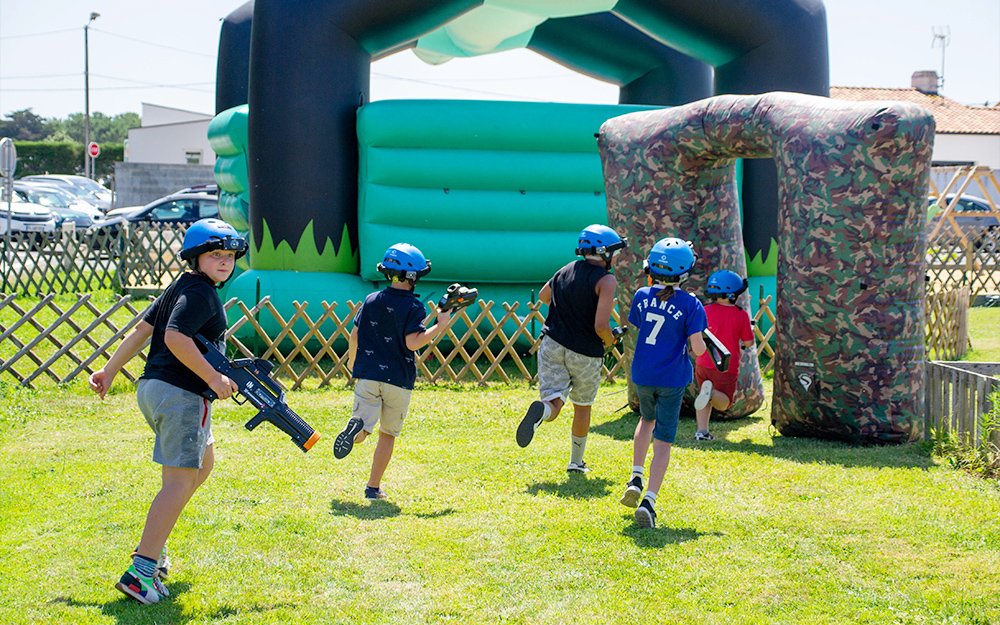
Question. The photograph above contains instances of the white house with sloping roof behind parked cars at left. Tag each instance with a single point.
(170, 136)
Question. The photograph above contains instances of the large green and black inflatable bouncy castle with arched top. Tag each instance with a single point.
(292, 151)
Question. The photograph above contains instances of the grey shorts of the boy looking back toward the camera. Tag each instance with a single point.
(181, 420)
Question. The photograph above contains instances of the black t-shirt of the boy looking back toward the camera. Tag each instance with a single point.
(190, 305)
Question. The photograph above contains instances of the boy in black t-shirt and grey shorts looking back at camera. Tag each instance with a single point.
(169, 393)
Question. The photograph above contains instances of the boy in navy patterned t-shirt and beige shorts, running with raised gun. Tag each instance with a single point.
(388, 328)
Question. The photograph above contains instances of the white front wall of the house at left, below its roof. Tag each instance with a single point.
(170, 143)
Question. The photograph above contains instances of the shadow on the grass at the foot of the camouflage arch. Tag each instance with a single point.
(804, 450)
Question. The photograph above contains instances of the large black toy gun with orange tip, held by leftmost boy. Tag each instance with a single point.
(253, 377)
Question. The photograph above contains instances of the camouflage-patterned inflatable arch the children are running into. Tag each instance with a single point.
(852, 181)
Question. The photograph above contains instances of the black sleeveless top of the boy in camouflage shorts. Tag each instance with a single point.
(570, 321)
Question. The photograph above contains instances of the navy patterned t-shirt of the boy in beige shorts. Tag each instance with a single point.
(384, 321)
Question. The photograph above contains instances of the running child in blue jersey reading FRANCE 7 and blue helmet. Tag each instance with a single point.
(670, 321)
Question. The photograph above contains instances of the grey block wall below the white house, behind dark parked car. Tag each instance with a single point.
(137, 184)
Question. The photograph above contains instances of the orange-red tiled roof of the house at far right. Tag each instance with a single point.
(951, 117)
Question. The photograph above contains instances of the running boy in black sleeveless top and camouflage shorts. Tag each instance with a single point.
(577, 331)
